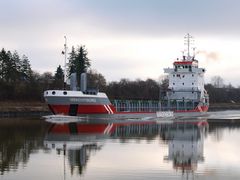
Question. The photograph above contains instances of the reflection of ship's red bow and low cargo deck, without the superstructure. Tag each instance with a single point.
(78, 141)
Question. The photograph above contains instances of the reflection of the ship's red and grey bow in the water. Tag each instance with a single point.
(77, 141)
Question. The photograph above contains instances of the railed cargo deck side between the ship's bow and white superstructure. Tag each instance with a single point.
(136, 105)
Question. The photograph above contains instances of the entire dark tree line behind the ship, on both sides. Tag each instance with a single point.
(19, 82)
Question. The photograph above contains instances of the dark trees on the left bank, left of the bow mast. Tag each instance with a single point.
(19, 82)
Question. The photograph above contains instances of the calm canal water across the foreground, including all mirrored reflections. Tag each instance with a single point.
(36, 149)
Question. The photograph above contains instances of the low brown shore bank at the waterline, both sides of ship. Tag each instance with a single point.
(35, 108)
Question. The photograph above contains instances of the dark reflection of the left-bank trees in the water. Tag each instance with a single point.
(18, 139)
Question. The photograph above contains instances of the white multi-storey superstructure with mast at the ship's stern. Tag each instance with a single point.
(186, 84)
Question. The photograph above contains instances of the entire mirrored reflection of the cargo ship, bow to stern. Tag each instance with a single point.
(79, 140)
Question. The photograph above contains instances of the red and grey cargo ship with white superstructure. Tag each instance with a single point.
(185, 94)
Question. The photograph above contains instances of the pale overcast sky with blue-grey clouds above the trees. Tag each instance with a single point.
(125, 38)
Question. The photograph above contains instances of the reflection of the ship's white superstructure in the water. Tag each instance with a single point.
(185, 146)
